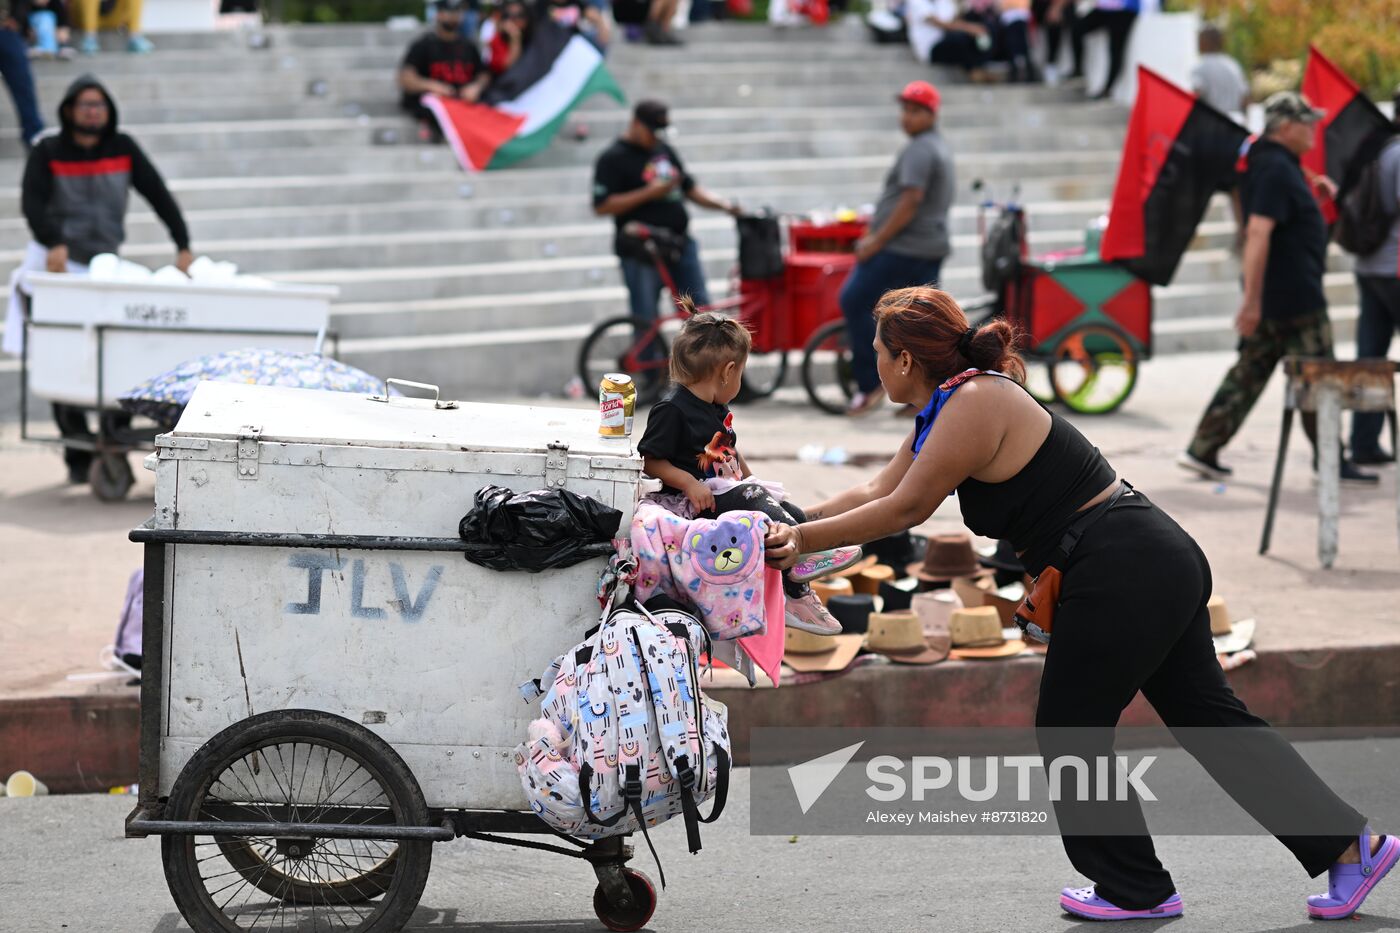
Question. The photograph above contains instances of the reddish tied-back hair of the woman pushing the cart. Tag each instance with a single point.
(929, 324)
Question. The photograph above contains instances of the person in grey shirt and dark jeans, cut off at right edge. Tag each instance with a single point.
(1378, 284)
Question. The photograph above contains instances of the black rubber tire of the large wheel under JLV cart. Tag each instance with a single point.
(415, 859)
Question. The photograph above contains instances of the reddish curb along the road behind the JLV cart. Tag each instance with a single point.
(85, 745)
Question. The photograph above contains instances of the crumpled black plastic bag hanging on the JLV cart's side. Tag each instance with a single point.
(538, 530)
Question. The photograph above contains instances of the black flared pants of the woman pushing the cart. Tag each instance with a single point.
(1133, 618)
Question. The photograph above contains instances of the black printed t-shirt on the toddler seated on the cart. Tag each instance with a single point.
(692, 435)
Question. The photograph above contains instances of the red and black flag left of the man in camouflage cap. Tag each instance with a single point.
(1178, 153)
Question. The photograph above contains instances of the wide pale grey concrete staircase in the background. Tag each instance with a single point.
(295, 163)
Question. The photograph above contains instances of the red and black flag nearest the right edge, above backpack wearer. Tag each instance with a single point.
(1352, 118)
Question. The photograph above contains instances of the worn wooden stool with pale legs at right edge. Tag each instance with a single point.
(1328, 387)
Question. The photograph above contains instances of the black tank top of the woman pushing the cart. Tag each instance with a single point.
(1034, 508)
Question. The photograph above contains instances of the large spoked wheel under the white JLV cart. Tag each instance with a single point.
(296, 767)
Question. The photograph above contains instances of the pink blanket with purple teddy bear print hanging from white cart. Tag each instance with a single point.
(715, 565)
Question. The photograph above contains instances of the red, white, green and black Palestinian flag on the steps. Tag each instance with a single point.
(527, 106)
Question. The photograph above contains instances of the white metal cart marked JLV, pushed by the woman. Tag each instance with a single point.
(328, 686)
